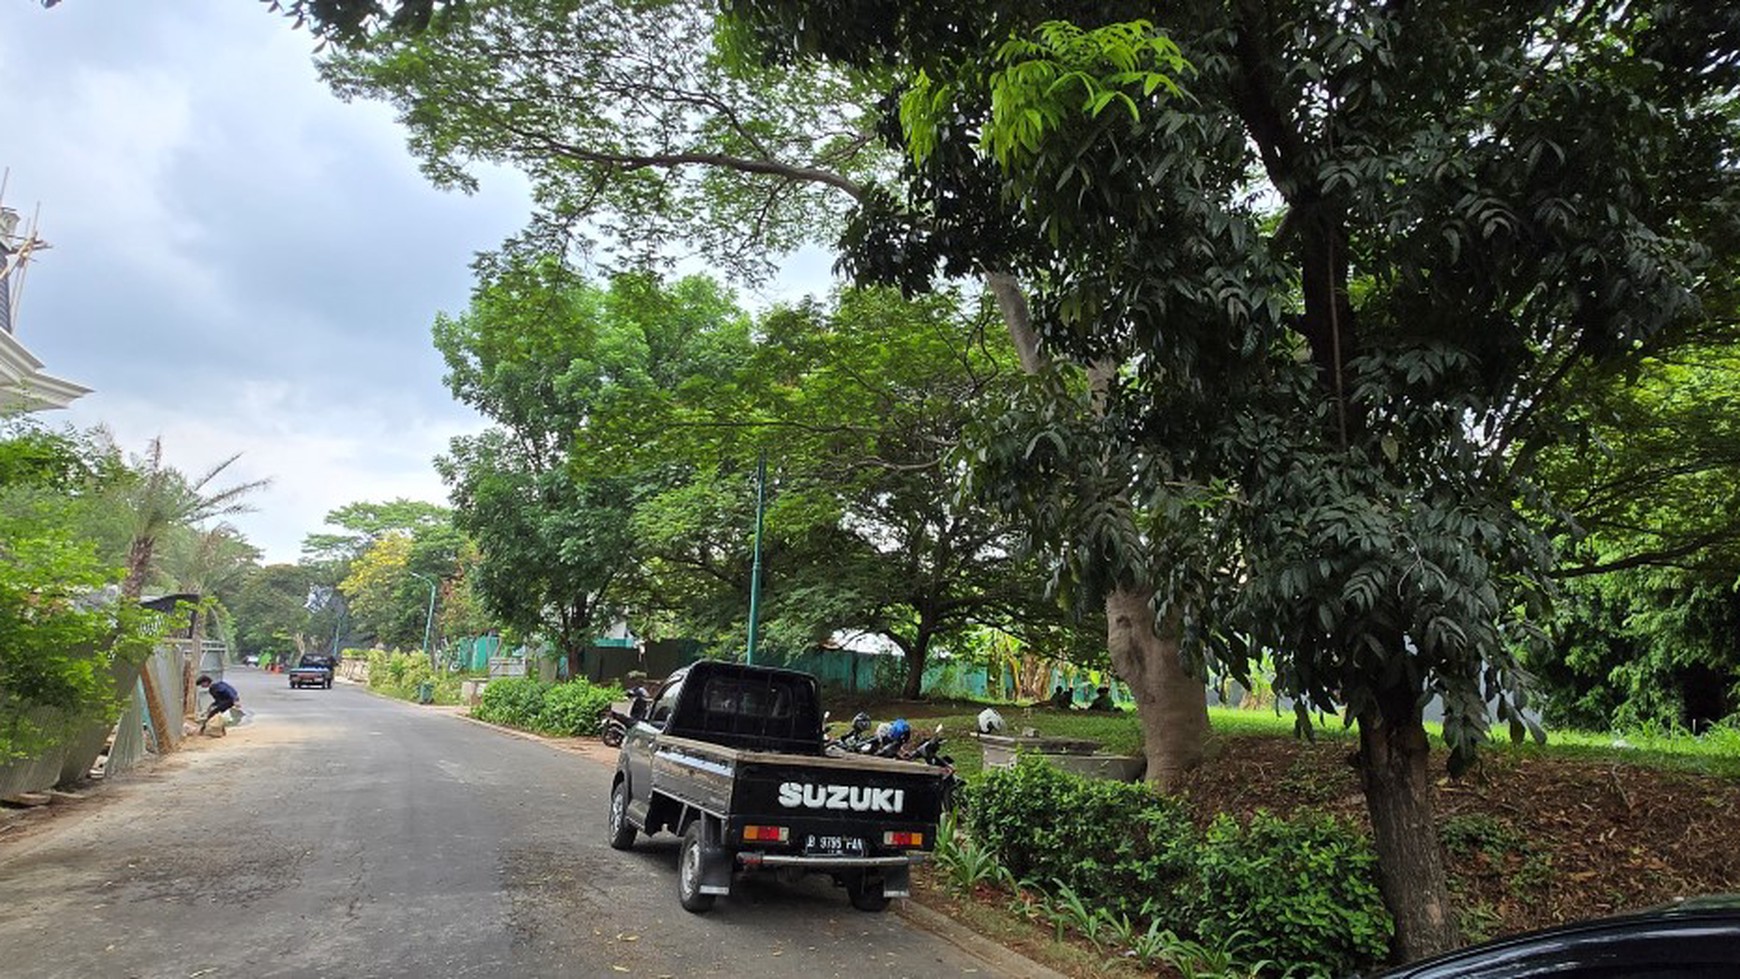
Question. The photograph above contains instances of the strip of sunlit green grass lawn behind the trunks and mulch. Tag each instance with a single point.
(1715, 754)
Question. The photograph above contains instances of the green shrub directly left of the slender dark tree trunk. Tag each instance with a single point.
(1299, 891)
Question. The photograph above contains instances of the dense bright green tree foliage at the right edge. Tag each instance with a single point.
(1647, 636)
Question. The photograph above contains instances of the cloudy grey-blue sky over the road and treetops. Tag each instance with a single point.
(241, 263)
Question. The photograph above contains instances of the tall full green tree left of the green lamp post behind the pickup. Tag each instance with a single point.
(542, 356)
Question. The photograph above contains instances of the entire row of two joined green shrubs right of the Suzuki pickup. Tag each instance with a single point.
(1295, 891)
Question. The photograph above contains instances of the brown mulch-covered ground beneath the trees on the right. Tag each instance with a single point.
(1530, 841)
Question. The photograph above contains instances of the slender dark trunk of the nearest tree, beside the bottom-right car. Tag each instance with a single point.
(1400, 797)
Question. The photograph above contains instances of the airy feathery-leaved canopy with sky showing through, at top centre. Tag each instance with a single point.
(638, 126)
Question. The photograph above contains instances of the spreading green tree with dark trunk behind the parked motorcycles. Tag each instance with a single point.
(873, 397)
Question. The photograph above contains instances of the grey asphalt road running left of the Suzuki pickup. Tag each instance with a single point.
(347, 836)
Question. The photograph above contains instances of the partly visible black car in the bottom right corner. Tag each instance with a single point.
(1697, 938)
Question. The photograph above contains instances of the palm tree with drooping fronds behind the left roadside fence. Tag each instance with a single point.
(157, 500)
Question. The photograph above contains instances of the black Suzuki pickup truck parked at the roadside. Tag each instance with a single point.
(730, 759)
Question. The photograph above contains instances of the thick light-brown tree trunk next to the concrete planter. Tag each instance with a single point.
(1172, 703)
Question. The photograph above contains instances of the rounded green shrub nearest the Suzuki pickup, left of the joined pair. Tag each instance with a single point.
(1116, 844)
